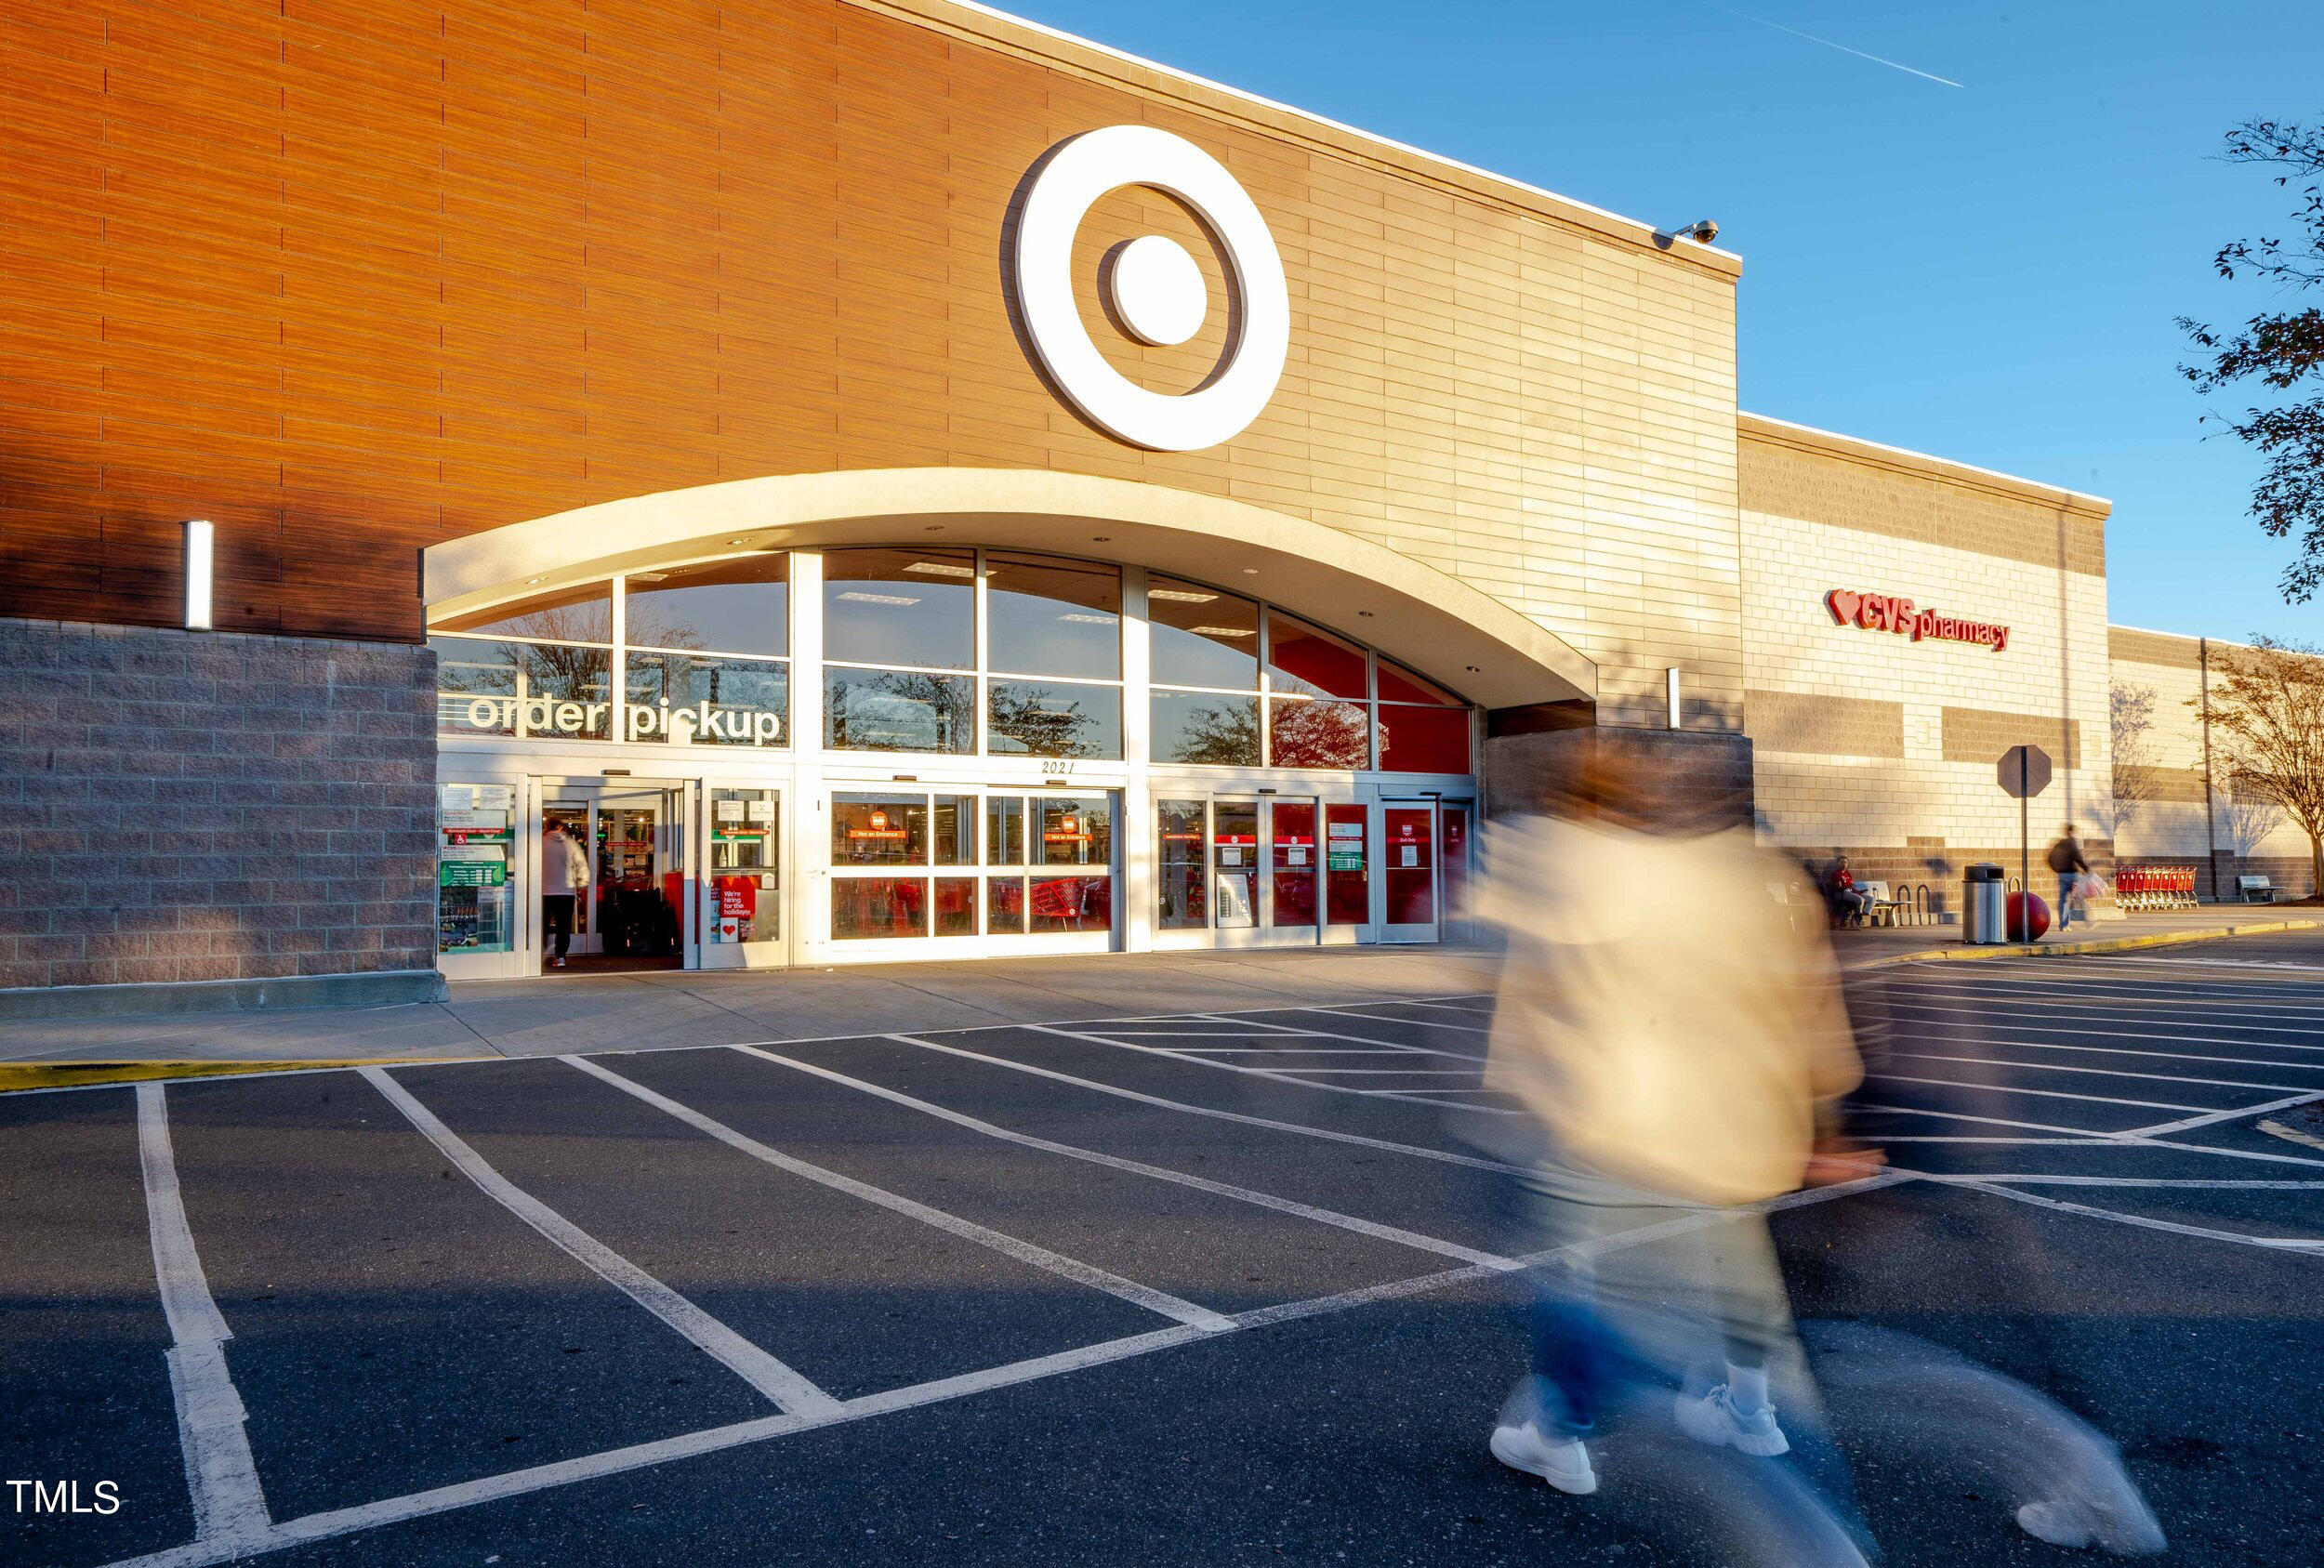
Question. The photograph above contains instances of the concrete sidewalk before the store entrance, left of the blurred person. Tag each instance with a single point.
(536, 1019)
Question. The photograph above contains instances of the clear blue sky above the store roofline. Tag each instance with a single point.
(1984, 273)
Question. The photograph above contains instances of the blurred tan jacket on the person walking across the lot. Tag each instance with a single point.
(1658, 1012)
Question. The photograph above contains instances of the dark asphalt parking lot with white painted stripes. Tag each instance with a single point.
(1179, 1290)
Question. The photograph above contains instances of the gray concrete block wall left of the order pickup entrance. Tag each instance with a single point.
(213, 807)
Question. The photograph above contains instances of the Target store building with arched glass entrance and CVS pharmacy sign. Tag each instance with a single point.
(891, 482)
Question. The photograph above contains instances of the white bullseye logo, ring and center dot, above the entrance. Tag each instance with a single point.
(1154, 287)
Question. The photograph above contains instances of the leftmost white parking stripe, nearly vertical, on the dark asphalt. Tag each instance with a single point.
(213, 1427)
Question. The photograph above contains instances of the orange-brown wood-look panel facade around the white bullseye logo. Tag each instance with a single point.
(350, 278)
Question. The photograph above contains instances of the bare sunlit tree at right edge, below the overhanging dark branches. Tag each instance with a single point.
(2269, 705)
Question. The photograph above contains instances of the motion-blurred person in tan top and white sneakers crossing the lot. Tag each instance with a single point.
(1674, 1044)
